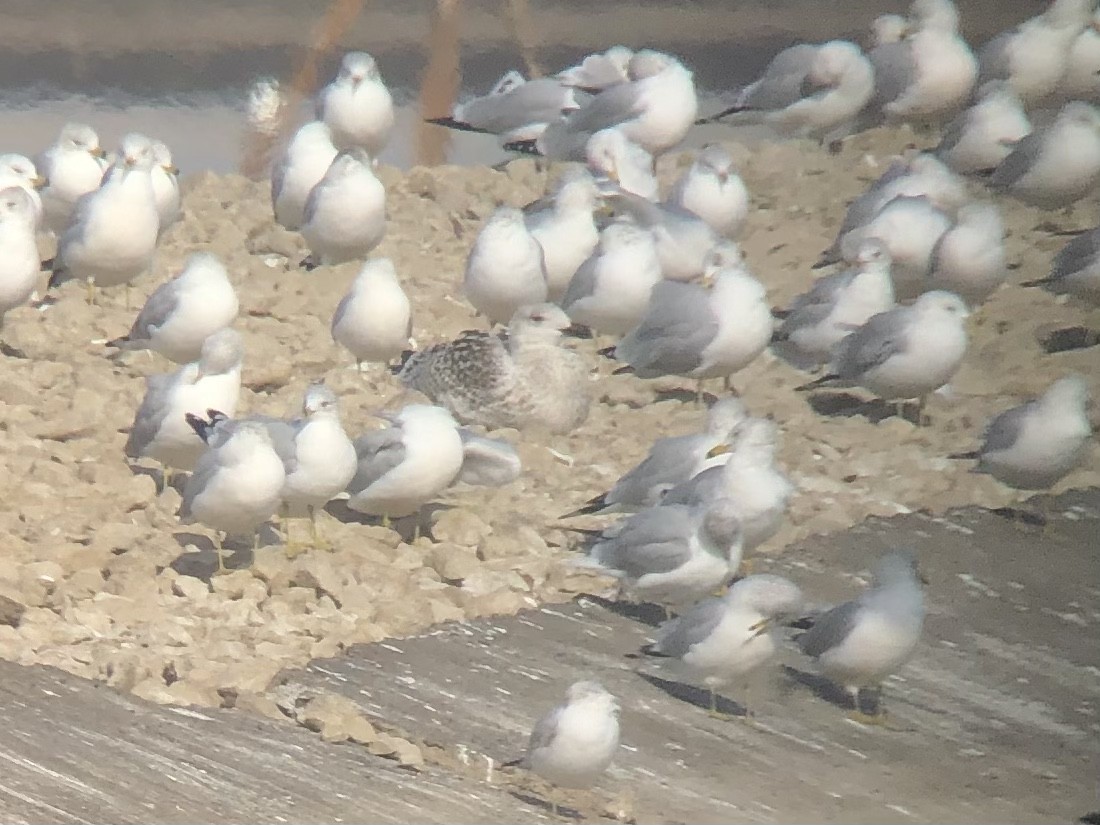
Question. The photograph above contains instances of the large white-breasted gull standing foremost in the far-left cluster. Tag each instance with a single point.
(113, 235)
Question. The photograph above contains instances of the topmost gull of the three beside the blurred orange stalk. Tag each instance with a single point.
(357, 106)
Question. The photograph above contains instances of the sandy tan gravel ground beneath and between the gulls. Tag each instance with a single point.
(103, 581)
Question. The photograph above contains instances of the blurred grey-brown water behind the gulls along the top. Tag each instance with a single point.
(180, 70)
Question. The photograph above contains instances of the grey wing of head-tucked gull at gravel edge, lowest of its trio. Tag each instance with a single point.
(652, 542)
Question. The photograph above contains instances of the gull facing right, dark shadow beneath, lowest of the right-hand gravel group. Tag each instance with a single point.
(907, 353)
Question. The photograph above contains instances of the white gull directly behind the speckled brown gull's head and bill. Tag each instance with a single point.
(611, 290)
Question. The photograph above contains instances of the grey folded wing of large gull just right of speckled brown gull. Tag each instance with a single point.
(672, 337)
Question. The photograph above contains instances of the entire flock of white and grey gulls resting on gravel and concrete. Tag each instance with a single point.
(663, 282)
